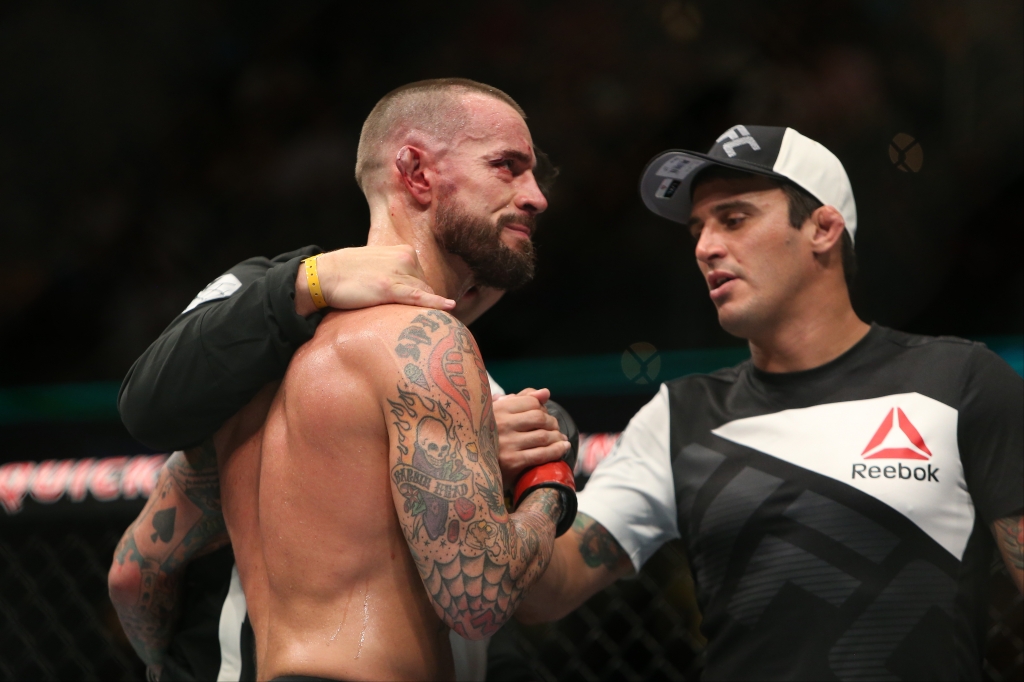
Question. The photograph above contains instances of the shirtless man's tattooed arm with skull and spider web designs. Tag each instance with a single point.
(477, 561)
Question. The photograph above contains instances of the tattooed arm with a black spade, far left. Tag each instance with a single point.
(181, 522)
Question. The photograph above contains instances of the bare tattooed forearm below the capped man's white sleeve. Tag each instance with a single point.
(586, 561)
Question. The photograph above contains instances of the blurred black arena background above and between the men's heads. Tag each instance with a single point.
(145, 148)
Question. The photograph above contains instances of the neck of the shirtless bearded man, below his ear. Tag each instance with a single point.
(447, 275)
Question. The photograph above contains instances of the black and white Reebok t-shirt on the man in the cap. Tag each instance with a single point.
(837, 520)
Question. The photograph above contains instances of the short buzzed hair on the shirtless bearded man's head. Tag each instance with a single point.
(432, 107)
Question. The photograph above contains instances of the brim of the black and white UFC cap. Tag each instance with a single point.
(667, 181)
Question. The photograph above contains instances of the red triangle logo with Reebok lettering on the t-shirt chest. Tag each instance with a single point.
(897, 439)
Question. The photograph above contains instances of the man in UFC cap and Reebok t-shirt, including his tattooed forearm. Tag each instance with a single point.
(838, 494)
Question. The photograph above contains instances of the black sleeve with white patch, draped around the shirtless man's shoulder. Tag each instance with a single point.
(236, 336)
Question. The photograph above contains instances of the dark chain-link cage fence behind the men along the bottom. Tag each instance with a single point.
(58, 624)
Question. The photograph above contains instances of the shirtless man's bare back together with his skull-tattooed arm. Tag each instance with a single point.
(364, 500)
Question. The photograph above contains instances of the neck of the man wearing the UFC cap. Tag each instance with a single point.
(823, 330)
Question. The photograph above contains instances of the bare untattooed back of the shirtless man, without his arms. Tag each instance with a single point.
(329, 579)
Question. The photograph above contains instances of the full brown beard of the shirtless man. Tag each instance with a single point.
(479, 243)
